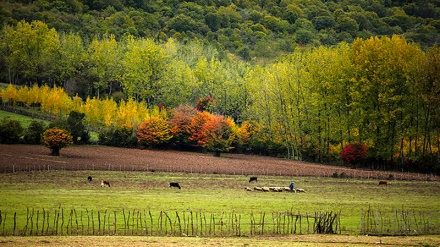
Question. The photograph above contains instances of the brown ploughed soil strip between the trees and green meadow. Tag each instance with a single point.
(30, 157)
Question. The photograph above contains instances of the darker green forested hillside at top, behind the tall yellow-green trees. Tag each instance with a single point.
(254, 30)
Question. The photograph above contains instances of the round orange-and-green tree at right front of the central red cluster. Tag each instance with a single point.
(217, 134)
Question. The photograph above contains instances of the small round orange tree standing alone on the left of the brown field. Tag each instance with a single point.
(55, 139)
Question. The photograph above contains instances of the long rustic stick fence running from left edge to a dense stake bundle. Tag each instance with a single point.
(143, 222)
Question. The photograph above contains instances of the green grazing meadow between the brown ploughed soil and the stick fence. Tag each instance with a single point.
(210, 194)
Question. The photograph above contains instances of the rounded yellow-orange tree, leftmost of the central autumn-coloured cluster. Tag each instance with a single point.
(154, 132)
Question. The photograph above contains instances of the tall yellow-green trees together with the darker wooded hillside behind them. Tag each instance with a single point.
(304, 78)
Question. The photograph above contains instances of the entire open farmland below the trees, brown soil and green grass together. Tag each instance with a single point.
(33, 181)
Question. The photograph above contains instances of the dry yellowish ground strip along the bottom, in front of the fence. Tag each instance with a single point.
(302, 240)
